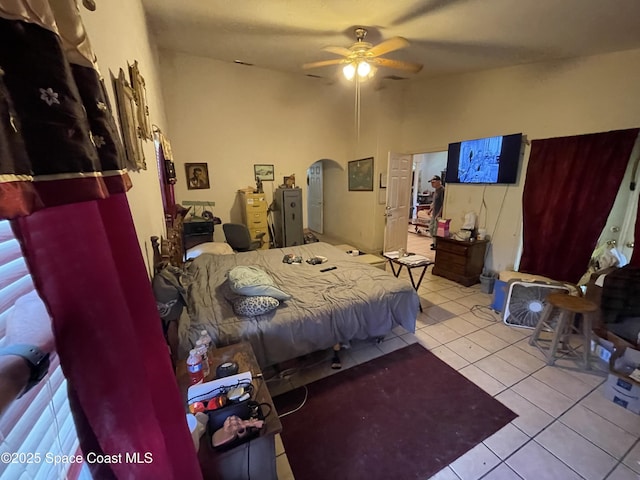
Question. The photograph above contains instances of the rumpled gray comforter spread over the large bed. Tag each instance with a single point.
(354, 301)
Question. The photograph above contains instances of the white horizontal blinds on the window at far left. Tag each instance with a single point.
(40, 422)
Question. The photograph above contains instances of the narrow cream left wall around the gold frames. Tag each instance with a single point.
(118, 33)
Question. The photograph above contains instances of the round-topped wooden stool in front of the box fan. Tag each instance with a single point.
(563, 325)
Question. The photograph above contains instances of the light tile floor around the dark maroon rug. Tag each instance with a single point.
(566, 429)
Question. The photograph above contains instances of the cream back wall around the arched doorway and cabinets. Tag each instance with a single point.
(232, 117)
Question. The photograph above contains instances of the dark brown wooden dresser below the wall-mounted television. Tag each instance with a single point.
(460, 261)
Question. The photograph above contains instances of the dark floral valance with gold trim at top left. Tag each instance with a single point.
(58, 139)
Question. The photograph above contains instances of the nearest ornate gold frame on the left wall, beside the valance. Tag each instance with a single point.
(125, 100)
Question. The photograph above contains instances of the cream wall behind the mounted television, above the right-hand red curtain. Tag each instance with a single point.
(553, 99)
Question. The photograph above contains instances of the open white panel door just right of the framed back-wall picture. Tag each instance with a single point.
(399, 169)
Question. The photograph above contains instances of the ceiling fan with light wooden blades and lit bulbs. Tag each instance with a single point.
(362, 57)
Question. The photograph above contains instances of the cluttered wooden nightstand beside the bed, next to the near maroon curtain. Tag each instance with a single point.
(253, 459)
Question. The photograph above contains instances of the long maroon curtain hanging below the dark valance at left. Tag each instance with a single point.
(87, 264)
